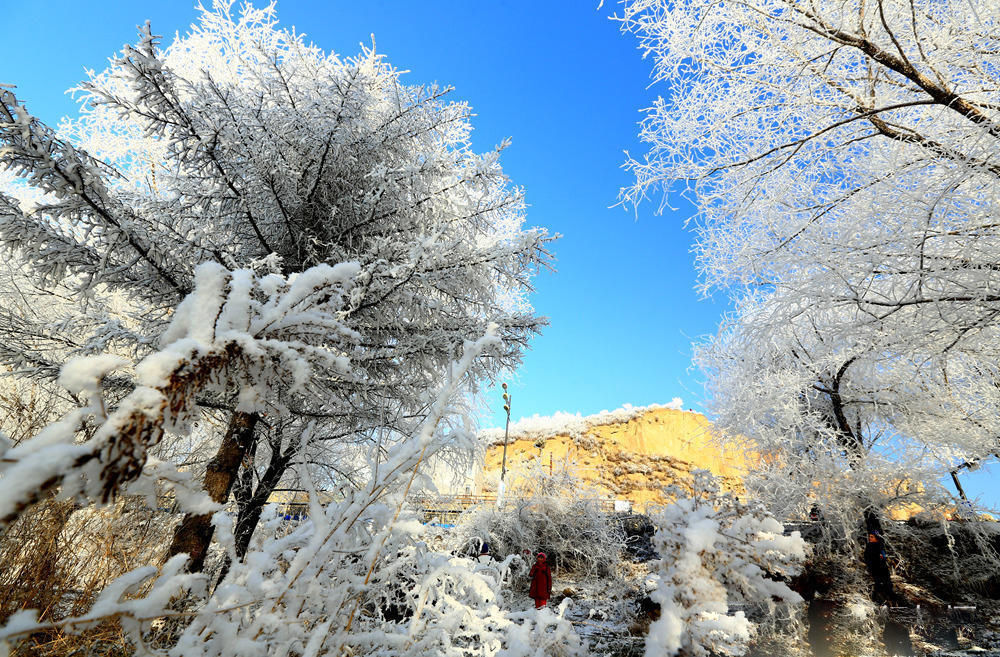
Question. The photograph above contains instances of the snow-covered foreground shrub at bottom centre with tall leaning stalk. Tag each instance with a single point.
(358, 580)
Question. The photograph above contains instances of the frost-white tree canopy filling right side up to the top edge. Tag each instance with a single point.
(841, 157)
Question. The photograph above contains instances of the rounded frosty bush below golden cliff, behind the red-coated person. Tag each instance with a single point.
(551, 514)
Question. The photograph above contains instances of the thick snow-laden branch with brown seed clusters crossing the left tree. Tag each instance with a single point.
(235, 330)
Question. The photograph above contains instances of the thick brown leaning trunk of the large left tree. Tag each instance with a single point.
(194, 534)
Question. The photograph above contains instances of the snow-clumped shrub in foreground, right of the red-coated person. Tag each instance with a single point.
(720, 558)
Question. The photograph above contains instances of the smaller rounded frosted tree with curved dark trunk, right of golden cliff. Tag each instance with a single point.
(843, 436)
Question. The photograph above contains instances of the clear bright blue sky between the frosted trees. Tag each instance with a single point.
(561, 81)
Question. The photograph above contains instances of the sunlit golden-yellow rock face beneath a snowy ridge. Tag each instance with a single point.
(625, 458)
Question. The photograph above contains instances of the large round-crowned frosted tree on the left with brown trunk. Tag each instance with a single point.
(242, 145)
